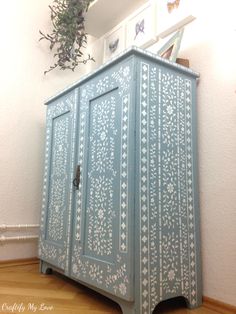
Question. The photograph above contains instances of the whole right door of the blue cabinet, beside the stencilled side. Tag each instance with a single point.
(102, 247)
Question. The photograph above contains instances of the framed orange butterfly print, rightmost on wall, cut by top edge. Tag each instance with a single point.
(173, 15)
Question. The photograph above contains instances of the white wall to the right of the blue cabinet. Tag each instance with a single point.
(210, 44)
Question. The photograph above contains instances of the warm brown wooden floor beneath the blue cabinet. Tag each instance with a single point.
(24, 290)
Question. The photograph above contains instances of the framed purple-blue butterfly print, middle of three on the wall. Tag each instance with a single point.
(141, 27)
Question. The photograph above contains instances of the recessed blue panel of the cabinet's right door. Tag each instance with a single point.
(102, 177)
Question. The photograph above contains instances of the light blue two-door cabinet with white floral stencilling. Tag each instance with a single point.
(129, 226)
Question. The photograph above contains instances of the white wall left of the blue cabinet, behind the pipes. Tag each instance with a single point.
(22, 115)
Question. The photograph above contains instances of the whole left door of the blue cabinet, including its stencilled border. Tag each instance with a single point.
(54, 242)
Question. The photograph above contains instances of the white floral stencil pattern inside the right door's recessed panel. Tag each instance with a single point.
(101, 176)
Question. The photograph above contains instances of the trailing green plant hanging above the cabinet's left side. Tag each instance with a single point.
(68, 37)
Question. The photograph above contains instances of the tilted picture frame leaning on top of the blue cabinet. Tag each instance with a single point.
(171, 47)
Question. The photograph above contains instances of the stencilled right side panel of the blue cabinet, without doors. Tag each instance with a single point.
(166, 194)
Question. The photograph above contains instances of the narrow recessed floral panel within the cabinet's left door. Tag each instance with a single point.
(57, 197)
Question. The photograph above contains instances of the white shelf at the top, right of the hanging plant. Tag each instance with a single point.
(105, 14)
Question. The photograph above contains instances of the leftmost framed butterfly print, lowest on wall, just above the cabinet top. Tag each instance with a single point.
(114, 42)
